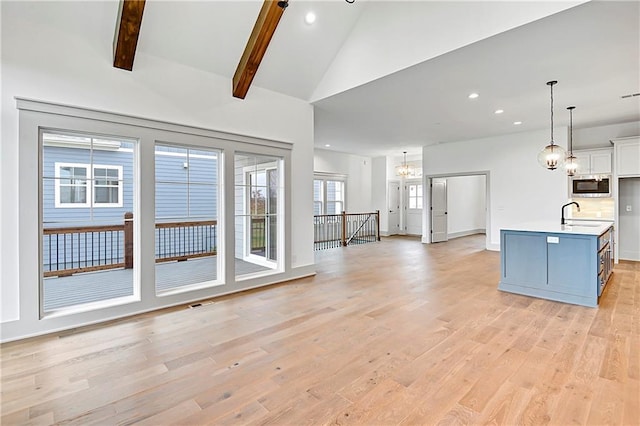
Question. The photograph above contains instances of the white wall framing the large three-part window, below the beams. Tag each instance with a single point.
(47, 55)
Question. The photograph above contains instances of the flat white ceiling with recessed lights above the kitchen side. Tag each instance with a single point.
(593, 50)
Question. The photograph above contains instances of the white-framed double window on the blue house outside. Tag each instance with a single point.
(79, 185)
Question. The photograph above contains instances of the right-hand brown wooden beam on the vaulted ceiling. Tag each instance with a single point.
(263, 30)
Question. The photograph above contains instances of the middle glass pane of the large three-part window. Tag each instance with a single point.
(186, 234)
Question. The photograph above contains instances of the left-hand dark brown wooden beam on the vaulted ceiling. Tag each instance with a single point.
(128, 31)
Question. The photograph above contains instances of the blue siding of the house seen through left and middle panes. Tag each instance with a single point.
(182, 194)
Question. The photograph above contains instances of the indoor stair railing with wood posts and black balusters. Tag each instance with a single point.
(340, 230)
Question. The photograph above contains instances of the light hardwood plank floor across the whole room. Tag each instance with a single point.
(387, 333)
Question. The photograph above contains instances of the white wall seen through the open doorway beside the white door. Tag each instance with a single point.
(466, 201)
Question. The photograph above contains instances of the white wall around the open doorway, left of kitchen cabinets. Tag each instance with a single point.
(520, 190)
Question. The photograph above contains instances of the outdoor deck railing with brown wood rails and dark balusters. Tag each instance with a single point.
(71, 250)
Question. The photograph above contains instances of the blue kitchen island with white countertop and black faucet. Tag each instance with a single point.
(565, 263)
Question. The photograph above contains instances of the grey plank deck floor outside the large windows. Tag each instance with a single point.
(110, 284)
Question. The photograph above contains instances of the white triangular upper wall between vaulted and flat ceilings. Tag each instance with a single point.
(377, 45)
